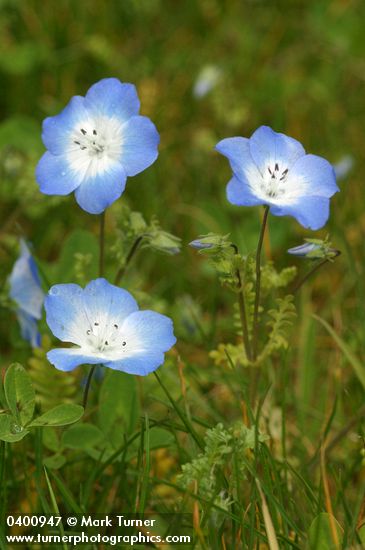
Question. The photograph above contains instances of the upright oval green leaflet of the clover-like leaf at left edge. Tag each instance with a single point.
(19, 393)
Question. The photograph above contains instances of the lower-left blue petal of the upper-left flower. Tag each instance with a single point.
(55, 176)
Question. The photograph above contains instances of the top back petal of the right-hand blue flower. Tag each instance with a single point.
(268, 147)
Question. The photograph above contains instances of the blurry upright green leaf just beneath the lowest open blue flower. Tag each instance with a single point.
(118, 405)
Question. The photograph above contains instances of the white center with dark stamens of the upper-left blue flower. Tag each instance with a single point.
(95, 145)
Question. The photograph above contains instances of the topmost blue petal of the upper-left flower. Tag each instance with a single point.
(109, 97)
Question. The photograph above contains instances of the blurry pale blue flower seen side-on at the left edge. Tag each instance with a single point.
(27, 293)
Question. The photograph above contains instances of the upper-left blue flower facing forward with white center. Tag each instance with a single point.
(95, 143)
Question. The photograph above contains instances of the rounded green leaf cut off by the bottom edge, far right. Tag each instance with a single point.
(322, 531)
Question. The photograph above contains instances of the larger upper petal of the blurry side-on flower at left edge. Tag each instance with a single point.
(25, 286)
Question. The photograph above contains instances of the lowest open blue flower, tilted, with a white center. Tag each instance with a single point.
(107, 327)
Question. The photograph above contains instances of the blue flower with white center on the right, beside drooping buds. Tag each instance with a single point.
(274, 169)
